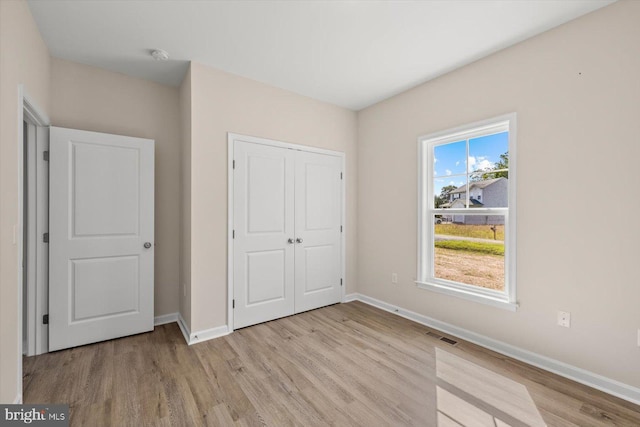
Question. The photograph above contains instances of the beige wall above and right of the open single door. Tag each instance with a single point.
(89, 98)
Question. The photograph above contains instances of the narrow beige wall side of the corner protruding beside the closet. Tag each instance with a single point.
(185, 207)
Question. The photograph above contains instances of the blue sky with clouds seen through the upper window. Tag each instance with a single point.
(450, 165)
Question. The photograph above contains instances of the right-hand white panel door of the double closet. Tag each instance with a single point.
(318, 205)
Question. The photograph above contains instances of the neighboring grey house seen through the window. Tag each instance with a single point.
(490, 193)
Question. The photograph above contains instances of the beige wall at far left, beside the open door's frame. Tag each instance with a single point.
(24, 59)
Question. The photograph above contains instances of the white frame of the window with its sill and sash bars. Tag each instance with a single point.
(425, 279)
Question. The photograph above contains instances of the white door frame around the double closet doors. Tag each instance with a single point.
(231, 138)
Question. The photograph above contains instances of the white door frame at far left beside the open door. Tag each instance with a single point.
(28, 110)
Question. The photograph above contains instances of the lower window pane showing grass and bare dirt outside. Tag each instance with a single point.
(469, 249)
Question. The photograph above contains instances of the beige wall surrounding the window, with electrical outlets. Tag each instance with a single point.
(576, 90)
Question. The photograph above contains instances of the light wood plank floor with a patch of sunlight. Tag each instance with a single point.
(347, 364)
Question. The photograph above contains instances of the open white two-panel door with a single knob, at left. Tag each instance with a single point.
(101, 227)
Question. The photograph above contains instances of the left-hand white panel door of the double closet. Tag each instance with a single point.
(263, 245)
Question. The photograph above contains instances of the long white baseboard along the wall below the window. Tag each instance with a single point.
(599, 382)
